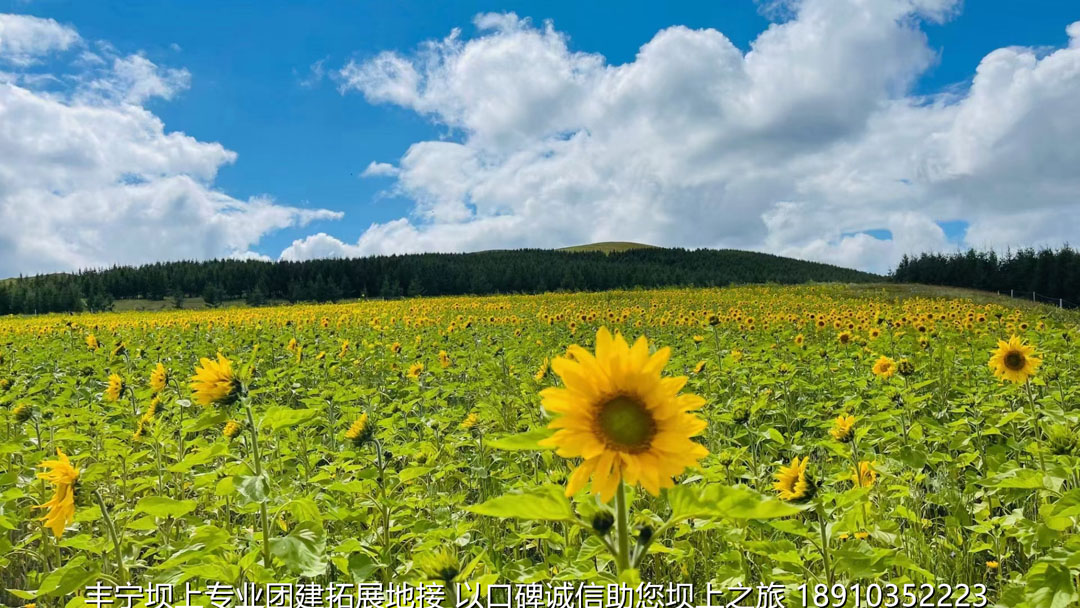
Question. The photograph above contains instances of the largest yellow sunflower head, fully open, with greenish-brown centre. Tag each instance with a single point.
(618, 414)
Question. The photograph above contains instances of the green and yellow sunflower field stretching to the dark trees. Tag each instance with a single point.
(793, 436)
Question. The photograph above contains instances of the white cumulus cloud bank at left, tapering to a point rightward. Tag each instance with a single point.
(90, 178)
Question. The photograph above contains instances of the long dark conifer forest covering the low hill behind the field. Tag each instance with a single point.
(522, 272)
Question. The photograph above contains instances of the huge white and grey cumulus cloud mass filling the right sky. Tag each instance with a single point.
(801, 146)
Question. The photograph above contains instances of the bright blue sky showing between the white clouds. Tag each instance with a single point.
(254, 88)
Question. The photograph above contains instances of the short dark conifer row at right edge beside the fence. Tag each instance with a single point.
(1054, 274)
